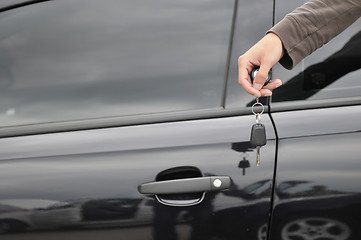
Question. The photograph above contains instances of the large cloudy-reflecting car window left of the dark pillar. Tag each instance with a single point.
(71, 60)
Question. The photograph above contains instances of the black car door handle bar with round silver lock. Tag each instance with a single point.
(187, 185)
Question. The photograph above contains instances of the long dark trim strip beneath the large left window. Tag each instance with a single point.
(99, 123)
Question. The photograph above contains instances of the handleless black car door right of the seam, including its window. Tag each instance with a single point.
(316, 112)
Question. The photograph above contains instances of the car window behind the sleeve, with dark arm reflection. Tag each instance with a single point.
(331, 72)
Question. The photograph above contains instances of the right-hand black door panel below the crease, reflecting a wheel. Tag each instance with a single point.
(318, 177)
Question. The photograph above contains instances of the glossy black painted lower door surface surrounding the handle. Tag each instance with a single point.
(89, 179)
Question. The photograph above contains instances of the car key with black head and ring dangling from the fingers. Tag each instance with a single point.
(258, 131)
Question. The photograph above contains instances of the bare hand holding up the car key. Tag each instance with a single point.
(266, 53)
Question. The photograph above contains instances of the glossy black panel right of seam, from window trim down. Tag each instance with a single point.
(318, 174)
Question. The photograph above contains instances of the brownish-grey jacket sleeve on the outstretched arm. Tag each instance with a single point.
(313, 24)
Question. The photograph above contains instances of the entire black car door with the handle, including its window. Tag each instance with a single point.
(115, 122)
